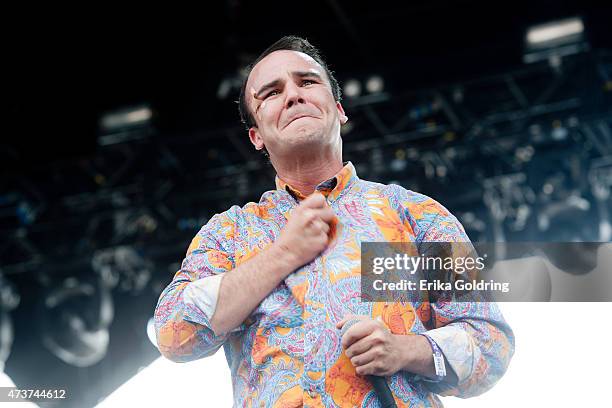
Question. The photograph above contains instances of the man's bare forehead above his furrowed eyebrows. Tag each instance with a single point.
(278, 63)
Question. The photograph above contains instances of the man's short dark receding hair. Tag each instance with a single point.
(291, 43)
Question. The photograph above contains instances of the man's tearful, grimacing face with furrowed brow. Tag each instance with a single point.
(290, 97)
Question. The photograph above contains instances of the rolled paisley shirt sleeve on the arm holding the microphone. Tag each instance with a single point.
(475, 339)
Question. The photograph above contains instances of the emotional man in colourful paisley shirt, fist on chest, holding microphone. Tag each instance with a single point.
(274, 282)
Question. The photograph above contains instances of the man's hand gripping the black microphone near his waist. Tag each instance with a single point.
(371, 347)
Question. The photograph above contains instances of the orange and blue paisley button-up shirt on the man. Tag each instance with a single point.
(287, 353)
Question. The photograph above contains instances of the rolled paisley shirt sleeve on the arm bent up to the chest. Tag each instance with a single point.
(185, 307)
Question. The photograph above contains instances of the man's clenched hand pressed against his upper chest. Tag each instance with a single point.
(306, 234)
